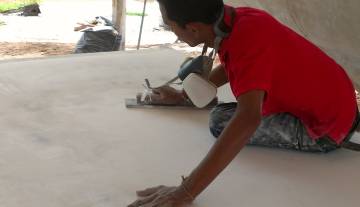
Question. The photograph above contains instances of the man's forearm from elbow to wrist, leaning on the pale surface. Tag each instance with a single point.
(229, 144)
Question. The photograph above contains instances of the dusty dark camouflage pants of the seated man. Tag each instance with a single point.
(278, 131)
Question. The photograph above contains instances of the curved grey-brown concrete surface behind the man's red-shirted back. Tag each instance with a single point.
(334, 25)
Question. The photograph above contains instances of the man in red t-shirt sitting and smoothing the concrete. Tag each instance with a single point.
(289, 93)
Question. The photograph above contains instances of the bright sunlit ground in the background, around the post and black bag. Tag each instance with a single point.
(51, 34)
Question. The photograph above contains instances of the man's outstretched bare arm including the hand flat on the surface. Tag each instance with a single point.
(239, 130)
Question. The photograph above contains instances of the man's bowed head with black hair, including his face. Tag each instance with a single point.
(192, 20)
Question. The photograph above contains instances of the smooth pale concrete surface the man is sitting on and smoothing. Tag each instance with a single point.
(66, 139)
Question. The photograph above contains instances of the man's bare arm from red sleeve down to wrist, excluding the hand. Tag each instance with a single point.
(234, 137)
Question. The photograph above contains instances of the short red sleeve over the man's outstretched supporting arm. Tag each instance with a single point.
(250, 58)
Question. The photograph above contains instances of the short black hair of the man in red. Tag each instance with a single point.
(185, 11)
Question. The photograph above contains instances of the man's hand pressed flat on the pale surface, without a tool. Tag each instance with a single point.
(162, 196)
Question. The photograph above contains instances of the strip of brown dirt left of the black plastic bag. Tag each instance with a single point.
(31, 50)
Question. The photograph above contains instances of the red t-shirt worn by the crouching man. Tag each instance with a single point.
(298, 78)
